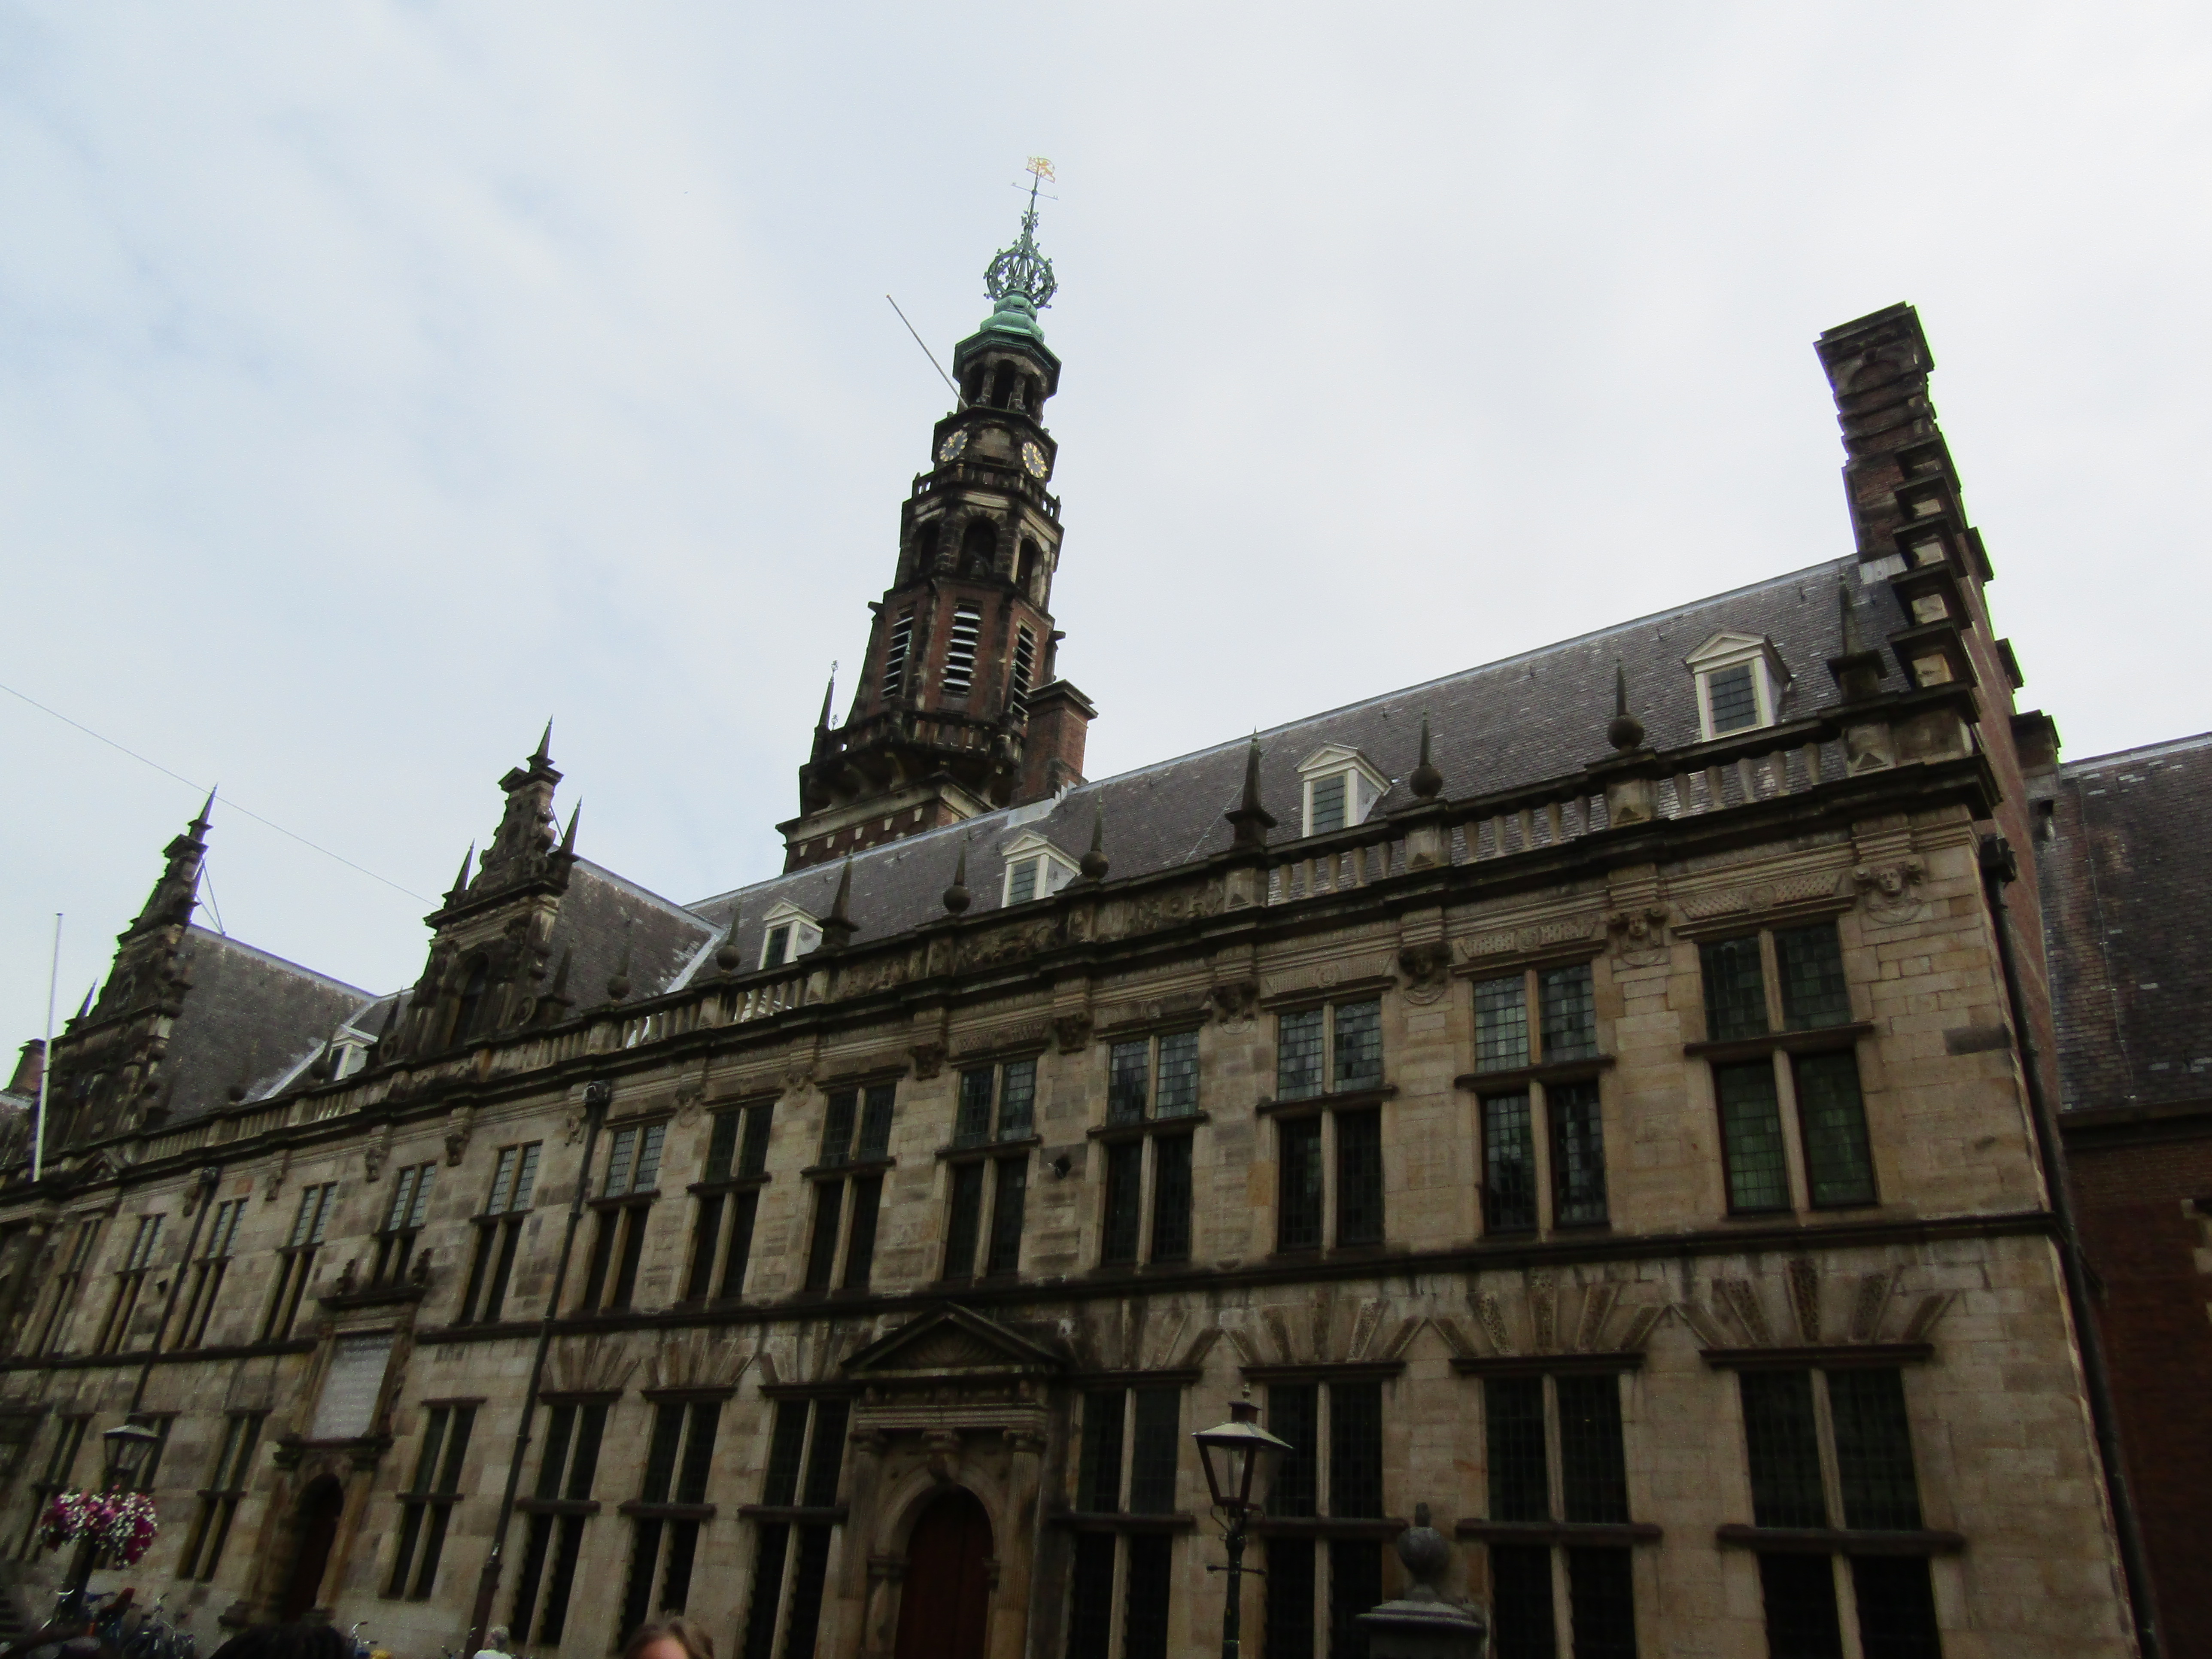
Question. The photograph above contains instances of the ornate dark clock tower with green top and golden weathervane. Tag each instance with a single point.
(959, 709)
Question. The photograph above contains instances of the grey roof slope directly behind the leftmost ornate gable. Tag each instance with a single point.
(251, 1021)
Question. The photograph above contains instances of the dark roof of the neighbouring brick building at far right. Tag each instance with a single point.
(2129, 926)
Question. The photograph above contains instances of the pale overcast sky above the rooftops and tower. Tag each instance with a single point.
(382, 379)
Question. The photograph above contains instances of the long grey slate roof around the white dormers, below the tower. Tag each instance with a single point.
(1499, 727)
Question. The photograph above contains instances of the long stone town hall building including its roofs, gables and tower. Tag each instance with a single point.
(1583, 1096)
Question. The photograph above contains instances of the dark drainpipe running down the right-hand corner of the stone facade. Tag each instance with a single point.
(2001, 868)
